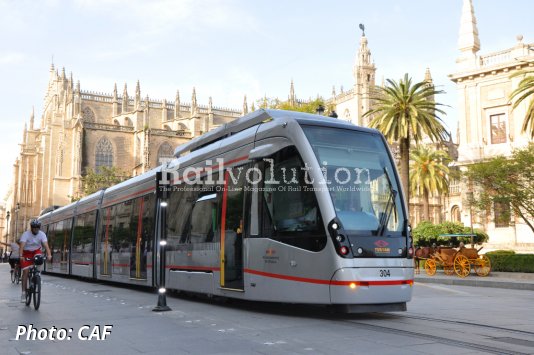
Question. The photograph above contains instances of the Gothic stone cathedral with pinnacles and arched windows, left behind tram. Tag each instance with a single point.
(81, 130)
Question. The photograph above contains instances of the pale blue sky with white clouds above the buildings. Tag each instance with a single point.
(227, 49)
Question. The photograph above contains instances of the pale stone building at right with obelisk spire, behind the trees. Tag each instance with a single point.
(488, 126)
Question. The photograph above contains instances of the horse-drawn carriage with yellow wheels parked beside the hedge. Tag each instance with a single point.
(457, 261)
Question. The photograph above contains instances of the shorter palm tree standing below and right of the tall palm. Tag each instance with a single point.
(429, 174)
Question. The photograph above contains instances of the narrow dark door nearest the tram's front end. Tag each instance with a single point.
(232, 229)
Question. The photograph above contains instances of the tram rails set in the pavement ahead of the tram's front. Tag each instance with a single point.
(475, 344)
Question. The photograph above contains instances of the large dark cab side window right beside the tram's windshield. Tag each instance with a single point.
(290, 213)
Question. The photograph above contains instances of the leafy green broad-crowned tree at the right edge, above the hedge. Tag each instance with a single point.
(506, 180)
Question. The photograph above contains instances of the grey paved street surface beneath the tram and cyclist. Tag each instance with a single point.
(441, 319)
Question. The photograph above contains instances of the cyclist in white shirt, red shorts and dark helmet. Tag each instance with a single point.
(30, 245)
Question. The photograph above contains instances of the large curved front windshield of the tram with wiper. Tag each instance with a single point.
(360, 178)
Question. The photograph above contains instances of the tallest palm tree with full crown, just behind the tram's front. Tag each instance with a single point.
(404, 112)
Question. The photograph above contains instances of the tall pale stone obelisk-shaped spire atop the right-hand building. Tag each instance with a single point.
(468, 42)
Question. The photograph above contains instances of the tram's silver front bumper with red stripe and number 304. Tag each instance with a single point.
(371, 285)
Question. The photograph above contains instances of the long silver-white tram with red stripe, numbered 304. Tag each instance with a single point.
(275, 206)
